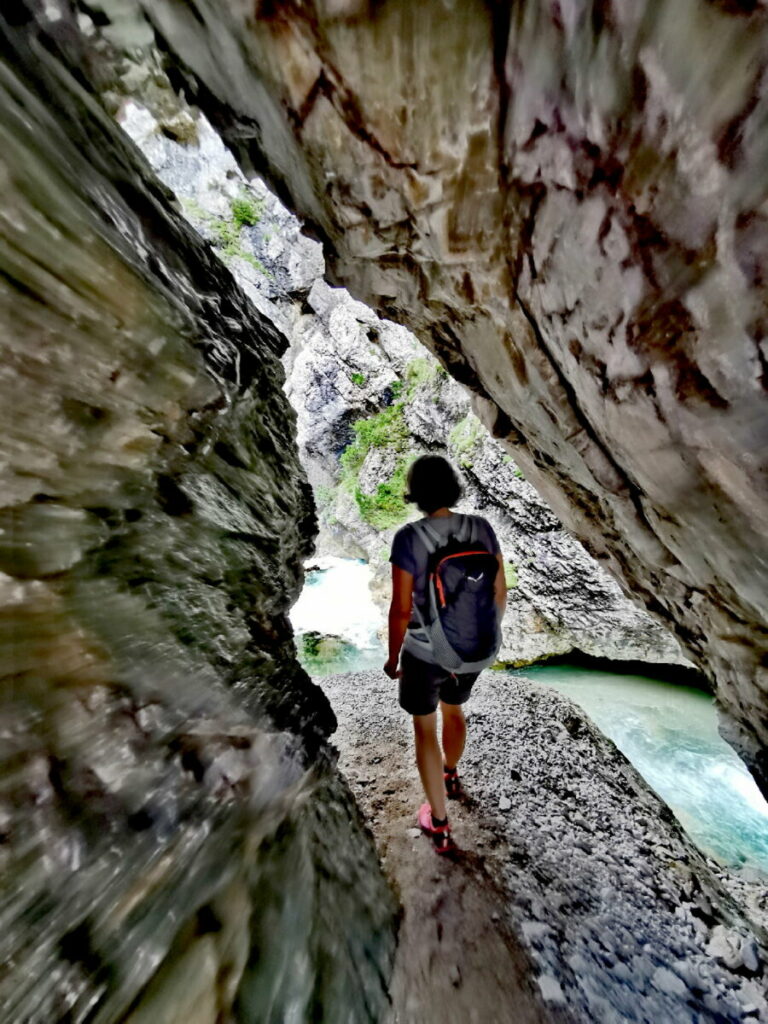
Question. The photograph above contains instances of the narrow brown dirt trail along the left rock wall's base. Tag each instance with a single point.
(457, 962)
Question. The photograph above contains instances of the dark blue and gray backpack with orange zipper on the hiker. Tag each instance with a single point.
(461, 628)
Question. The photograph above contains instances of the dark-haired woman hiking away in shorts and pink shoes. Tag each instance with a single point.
(449, 595)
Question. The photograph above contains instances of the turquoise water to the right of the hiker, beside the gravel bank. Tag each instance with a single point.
(670, 735)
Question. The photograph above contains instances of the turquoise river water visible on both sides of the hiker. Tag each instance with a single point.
(668, 732)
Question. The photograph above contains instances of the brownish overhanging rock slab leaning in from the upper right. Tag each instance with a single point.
(567, 208)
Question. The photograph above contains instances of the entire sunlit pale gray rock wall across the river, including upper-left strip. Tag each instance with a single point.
(347, 367)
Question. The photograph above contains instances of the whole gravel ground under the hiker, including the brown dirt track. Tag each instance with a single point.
(575, 898)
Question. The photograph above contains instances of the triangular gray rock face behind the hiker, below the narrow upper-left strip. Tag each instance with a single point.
(561, 600)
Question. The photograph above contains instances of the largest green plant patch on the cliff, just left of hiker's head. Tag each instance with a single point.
(388, 430)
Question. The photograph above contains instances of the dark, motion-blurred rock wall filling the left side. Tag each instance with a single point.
(170, 819)
